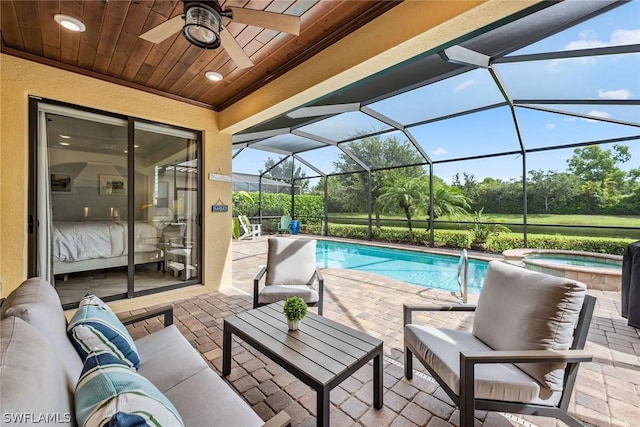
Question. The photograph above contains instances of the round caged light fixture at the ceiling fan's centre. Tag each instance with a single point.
(202, 24)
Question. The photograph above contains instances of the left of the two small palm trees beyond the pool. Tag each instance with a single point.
(406, 193)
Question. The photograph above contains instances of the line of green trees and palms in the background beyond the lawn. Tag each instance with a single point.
(593, 183)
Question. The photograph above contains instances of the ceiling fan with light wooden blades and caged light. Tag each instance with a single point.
(202, 25)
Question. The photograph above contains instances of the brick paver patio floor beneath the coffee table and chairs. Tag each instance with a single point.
(607, 392)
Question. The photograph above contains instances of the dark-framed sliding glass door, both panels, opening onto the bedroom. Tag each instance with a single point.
(114, 203)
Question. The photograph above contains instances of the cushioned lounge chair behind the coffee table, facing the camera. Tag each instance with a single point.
(290, 271)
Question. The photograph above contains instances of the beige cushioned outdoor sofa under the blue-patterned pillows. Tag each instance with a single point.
(40, 368)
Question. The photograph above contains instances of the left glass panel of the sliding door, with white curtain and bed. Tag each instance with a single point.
(83, 208)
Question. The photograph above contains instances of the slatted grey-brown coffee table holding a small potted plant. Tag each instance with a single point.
(322, 353)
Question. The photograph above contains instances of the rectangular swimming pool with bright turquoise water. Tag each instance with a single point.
(418, 268)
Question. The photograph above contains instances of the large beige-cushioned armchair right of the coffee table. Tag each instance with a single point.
(521, 317)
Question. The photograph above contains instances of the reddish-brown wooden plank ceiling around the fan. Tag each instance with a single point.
(110, 48)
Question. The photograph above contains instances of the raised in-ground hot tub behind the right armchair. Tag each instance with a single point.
(597, 271)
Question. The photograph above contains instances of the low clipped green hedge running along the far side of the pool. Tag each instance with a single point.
(462, 239)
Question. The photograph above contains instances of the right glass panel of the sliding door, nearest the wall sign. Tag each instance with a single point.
(166, 219)
